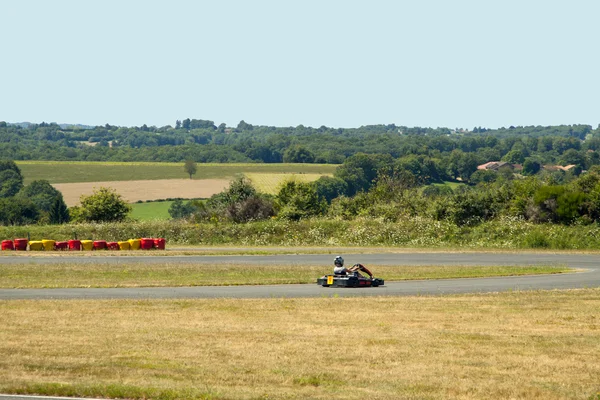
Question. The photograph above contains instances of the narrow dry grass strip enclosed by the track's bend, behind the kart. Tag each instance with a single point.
(133, 274)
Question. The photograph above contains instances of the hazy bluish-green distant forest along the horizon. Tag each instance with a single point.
(203, 141)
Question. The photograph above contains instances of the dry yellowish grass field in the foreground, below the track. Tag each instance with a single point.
(519, 345)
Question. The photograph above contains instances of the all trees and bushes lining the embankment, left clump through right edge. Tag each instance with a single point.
(373, 186)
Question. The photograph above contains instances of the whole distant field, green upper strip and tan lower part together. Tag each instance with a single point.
(152, 181)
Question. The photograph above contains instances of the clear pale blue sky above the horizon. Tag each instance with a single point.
(283, 63)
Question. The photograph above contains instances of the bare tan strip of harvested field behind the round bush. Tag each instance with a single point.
(133, 191)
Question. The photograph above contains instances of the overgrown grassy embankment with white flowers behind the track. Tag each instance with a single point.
(407, 233)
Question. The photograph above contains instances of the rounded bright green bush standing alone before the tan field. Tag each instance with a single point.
(103, 205)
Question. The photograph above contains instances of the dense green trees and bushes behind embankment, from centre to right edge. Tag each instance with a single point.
(379, 187)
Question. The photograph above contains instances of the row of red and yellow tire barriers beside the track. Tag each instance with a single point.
(83, 245)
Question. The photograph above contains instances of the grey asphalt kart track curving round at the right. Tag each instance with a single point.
(587, 278)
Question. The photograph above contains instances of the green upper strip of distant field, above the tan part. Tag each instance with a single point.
(71, 172)
